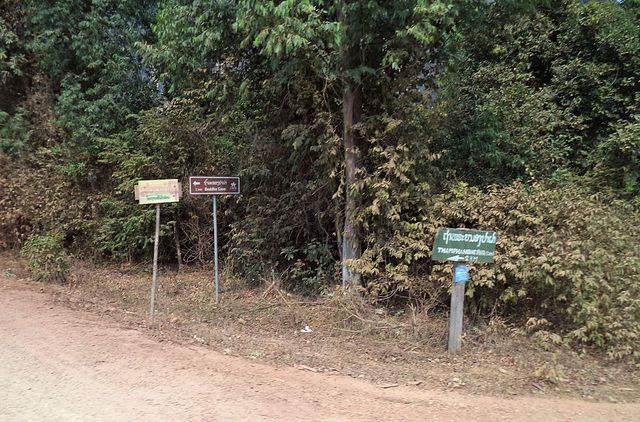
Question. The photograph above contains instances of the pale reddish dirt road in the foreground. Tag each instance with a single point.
(57, 364)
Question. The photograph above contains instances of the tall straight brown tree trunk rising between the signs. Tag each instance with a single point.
(352, 112)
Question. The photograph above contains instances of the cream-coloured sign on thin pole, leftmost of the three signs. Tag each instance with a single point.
(157, 192)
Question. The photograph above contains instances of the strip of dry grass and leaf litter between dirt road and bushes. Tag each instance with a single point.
(347, 337)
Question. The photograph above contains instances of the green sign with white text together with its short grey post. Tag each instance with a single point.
(459, 246)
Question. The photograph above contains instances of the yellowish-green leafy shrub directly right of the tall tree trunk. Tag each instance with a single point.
(396, 199)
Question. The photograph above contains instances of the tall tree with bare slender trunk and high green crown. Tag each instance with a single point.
(368, 52)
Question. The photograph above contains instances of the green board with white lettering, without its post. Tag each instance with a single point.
(464, 245)
